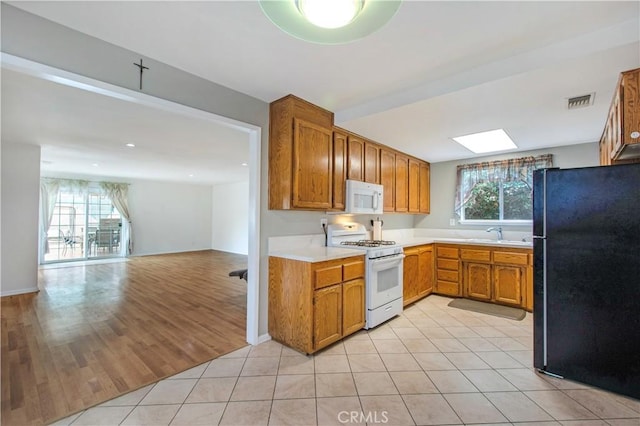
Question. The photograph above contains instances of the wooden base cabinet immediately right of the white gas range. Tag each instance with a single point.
(417, 273)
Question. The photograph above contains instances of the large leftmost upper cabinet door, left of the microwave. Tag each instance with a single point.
(312, 166)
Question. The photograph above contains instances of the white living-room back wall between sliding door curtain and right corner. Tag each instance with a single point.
(169, 217)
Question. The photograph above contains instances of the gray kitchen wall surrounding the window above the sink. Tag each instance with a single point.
(443, 181)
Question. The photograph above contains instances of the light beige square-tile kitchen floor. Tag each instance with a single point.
(431, 365)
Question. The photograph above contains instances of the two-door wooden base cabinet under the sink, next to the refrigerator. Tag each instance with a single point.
(499, 275)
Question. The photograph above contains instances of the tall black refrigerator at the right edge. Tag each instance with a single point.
(586, 227)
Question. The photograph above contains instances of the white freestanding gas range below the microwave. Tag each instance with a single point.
(383, 272)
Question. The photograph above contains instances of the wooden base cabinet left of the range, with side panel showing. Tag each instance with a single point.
(314, 304)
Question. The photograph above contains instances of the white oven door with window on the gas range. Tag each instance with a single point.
(384, 280)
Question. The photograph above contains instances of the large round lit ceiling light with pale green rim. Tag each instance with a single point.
(308, 20)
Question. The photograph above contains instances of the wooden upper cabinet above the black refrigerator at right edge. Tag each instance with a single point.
(620, 140)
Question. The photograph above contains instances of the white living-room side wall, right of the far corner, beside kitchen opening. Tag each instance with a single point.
(230, 217)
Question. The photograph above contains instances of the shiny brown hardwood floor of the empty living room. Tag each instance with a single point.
(95, 332)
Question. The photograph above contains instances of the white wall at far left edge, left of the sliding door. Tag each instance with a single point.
(20, 206)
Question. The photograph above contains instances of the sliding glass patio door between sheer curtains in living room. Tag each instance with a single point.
(83, 226)
